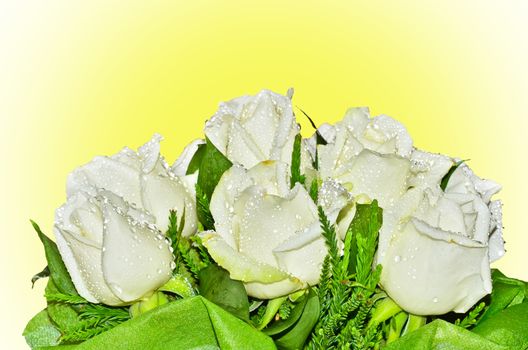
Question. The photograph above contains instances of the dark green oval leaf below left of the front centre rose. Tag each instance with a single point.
(218, 287)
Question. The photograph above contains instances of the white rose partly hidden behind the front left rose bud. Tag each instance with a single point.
(143, 179)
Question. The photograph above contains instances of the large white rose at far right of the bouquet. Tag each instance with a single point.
(436, 246)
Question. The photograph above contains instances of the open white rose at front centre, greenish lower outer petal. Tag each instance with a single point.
(268, 235)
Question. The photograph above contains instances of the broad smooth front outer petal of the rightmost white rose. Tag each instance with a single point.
(425, 286)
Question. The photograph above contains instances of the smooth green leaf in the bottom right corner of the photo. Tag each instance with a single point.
(508, 327)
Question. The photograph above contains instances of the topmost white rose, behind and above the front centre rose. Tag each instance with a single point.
(251, 129)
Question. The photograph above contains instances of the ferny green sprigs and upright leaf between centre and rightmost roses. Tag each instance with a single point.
(347, 299)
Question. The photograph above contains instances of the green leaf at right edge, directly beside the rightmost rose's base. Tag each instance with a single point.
(506, 292)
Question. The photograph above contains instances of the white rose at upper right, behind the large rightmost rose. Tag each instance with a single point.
(367, 156)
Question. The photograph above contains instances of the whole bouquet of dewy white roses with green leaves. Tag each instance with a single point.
(259, 239)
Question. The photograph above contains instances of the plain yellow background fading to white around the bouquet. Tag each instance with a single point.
(79, 79)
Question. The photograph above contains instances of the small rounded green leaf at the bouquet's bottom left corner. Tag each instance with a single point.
(40, 331)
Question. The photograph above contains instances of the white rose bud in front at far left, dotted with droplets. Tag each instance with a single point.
(112, 257)
